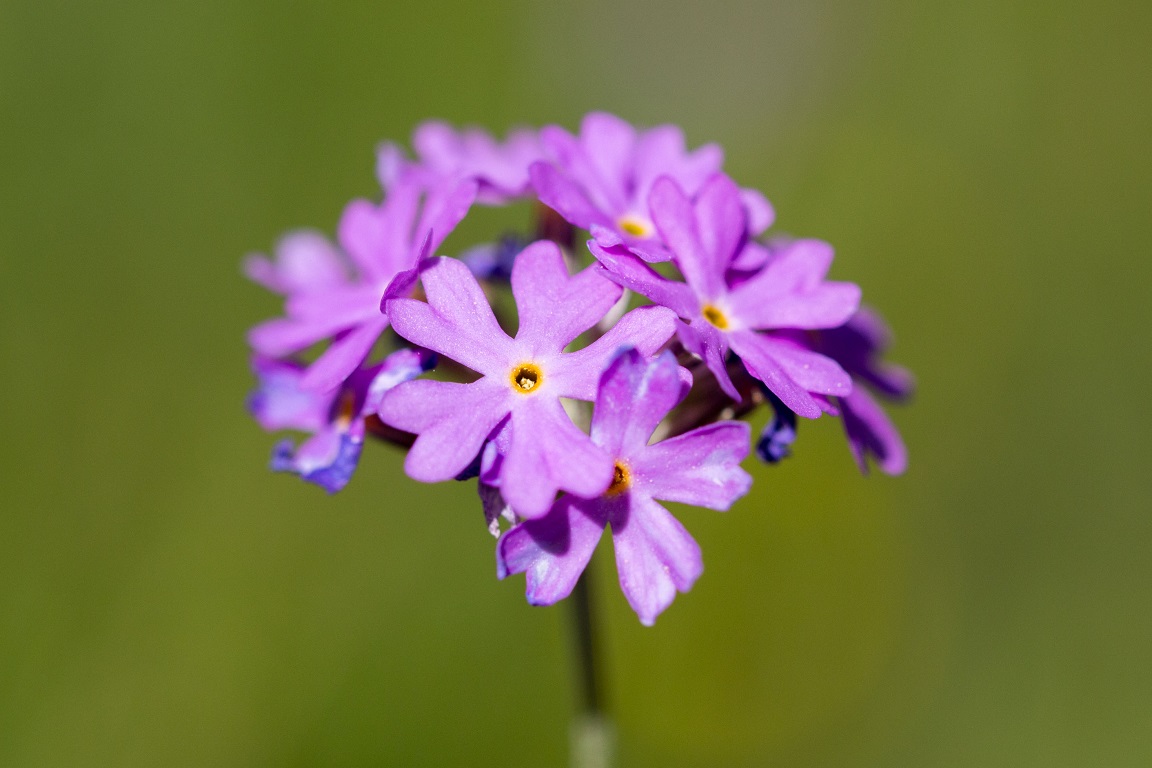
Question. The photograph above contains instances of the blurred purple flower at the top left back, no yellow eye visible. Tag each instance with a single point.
(446, 156)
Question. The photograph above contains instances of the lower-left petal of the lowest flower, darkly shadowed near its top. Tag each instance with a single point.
(552, 552)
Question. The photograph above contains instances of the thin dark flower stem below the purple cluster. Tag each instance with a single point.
(592, 736)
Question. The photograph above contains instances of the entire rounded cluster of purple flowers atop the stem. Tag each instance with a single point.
(574, 414)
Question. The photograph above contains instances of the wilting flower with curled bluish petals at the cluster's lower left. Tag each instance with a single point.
(335, 420)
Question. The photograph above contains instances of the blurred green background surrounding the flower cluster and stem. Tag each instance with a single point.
(983, 170)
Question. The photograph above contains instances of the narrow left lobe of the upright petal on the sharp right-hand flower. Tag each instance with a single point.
(676, 220)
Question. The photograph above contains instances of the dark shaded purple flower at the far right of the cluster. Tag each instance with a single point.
(858, 346)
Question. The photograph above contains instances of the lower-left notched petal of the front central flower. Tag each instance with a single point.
(451, 420)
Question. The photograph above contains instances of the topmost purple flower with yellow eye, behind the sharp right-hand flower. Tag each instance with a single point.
(602, 180)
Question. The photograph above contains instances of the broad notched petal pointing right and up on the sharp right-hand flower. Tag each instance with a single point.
(791, 292)
